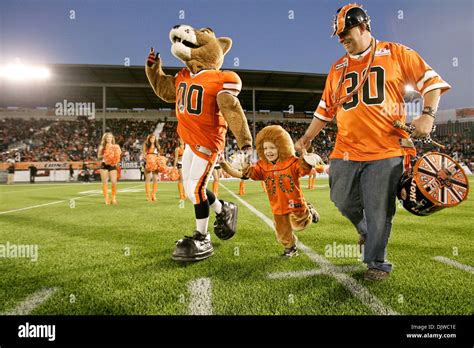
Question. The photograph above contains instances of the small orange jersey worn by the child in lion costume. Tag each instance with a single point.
(283, 184)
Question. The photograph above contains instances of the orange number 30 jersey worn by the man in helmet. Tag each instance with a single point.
(365, 121)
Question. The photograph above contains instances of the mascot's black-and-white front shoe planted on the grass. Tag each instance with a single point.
(195, 248)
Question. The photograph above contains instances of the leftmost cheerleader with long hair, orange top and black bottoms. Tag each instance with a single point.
(109, 155)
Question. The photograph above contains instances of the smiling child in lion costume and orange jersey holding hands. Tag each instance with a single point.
(280, 169)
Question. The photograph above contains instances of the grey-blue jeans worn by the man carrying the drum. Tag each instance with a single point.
(365, 192)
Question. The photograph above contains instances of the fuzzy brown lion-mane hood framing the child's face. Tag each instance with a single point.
(278, 136)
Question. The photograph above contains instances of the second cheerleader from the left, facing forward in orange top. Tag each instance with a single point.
(151, 153)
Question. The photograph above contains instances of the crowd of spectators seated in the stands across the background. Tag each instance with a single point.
(47, 140)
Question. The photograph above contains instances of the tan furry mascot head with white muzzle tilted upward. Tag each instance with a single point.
(198, 49)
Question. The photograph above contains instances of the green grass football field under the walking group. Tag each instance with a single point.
(117, 259)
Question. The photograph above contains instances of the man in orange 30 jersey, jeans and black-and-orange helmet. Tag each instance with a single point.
(364, 90)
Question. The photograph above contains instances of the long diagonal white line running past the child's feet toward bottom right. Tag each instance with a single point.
(328, 268)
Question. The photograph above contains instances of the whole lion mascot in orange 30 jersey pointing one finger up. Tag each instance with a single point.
(206, 105)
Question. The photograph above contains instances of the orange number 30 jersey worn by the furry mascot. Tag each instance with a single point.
(199, 119)
